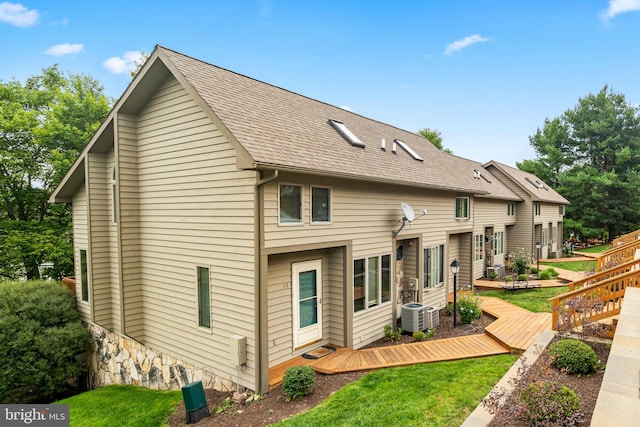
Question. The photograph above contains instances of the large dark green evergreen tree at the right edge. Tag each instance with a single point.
(591, 154)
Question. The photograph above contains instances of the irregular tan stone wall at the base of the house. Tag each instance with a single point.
(117, 359)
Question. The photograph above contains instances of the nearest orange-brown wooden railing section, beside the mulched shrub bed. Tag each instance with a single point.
(593, 302)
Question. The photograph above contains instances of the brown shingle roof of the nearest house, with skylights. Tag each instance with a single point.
(282, 129)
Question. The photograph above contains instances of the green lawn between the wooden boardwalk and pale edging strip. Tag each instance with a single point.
(434, 394)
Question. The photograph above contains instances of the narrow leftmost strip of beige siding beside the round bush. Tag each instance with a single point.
(80, 241)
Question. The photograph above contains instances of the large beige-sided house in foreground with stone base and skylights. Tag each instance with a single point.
(216, 216)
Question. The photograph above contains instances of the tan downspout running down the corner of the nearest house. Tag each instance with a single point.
(262, 361)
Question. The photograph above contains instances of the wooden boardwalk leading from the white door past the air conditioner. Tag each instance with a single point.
(513, 332)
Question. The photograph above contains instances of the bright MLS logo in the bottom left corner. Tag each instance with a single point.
(34, 415)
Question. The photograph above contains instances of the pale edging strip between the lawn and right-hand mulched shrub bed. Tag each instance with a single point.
(481, 417)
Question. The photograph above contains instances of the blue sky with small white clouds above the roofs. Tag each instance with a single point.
(484, 73)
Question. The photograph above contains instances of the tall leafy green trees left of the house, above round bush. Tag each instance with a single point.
(44, 123)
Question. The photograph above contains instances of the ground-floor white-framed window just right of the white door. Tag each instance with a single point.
(371, 282)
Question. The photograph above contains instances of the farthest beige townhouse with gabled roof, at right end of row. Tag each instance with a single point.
(538, 217)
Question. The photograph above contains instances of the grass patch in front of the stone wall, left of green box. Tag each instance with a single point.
(122, 405)
